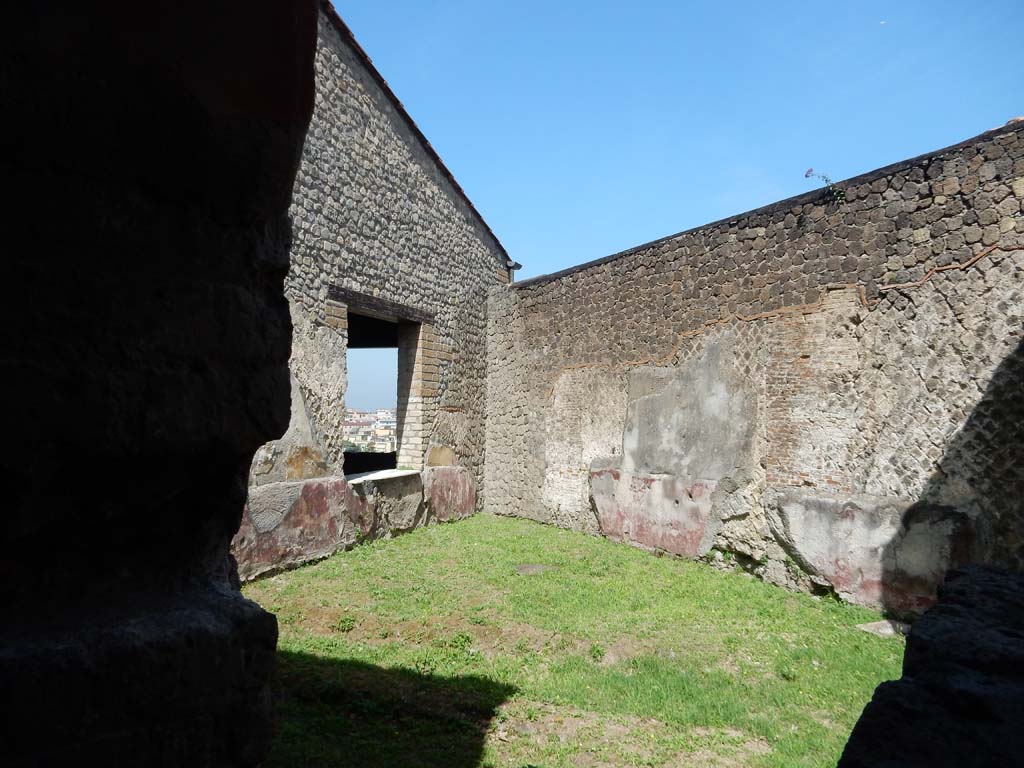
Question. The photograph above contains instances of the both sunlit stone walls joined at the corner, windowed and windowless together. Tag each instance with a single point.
(826, 391)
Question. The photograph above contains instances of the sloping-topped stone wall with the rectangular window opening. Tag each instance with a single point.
(382, 230)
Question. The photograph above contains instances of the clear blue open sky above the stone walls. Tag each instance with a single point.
(580, 130)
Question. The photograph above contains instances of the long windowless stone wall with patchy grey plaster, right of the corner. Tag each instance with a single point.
(826, 391)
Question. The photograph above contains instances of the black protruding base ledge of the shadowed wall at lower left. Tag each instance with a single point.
(190, 675)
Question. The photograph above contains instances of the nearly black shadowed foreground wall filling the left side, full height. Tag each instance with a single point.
(148, 154)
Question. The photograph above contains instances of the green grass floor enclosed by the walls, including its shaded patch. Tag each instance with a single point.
(440, 649)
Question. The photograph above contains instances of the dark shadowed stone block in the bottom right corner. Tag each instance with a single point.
(961, 701)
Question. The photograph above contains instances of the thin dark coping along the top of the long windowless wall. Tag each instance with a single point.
(802, 199)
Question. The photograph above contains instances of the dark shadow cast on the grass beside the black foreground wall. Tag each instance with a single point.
(344, 713)
